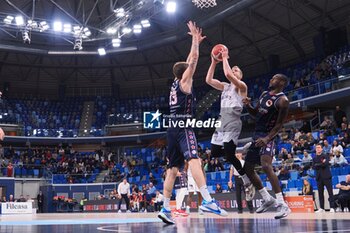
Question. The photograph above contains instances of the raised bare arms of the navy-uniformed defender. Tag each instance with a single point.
(197, 38)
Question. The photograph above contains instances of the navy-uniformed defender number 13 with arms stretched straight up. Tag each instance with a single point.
(182, 144)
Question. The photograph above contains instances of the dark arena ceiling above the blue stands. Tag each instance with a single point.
(251, 29)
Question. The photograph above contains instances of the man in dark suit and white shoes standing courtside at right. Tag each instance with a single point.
(323, 177)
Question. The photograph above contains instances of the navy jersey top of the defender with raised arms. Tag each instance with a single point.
(179, 102)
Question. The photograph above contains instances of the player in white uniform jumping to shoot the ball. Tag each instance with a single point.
(225, 138)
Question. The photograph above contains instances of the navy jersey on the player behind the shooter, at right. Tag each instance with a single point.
(268, 112)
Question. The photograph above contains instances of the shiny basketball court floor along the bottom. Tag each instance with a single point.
(148, 222)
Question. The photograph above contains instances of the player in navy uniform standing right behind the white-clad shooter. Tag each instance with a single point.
(270, 114)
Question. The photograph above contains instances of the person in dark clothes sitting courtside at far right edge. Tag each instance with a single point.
(343, 198)
